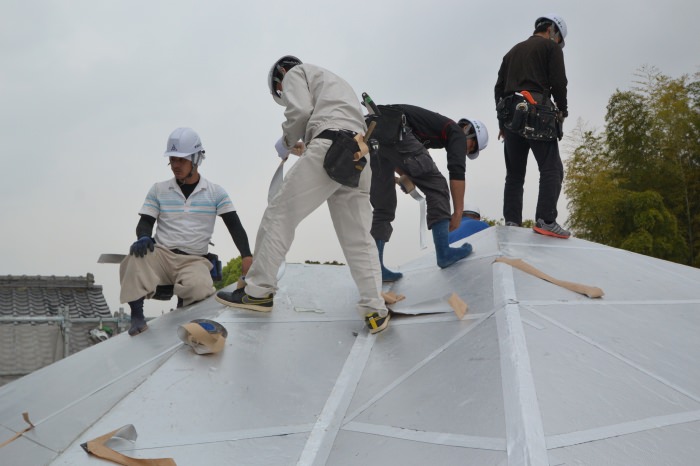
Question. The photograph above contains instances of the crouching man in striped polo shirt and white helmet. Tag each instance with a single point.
(185, 207)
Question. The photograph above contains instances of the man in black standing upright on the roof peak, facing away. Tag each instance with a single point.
(531, 74)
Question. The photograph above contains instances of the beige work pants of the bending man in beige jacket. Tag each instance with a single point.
(304, 189)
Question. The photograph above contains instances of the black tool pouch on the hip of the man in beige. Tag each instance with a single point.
(345, 159)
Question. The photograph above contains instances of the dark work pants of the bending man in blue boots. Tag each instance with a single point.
(413, 159)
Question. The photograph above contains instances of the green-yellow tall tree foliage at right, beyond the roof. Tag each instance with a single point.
(636, 185)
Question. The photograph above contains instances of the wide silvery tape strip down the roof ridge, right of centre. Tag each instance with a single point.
(524, 431)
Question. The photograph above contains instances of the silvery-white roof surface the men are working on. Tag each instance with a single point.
(534, 374)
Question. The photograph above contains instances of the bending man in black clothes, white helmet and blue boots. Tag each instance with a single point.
(408, 155)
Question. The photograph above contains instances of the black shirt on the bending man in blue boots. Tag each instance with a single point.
(436, 131)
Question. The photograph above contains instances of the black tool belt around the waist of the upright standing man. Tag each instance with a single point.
(531, 121)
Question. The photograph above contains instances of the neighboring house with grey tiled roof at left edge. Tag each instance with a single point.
(46, 318)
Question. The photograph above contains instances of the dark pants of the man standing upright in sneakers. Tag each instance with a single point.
(551, 177)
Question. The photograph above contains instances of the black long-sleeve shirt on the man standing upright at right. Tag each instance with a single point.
(534, 65)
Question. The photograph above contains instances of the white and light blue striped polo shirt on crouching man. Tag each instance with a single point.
(186, 224)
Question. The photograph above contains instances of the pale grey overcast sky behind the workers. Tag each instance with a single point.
(90, 91)
